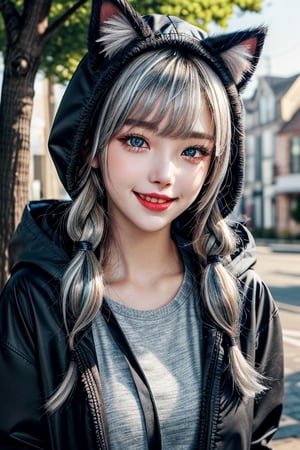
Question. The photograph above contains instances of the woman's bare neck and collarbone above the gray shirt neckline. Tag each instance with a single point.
(143, 271)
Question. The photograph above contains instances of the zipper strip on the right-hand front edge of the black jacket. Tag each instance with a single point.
(211, 396)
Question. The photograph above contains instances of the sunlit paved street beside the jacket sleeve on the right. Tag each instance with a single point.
(281, 272)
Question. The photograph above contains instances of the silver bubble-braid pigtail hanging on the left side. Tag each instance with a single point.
(82, 284)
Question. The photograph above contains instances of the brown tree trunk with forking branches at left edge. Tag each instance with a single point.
(27, 33)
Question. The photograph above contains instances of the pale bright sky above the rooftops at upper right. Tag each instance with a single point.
(281, 53)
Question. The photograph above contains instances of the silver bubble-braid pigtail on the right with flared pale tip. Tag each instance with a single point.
(221, 300)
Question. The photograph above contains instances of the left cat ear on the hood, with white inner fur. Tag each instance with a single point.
(113, 23)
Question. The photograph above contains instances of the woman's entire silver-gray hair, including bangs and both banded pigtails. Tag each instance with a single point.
(178, 83)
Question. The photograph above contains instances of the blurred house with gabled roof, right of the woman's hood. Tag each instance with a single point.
(272, 136)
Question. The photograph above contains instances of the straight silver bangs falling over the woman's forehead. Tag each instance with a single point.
(172, 90)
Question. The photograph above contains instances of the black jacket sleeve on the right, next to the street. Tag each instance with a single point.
(268, 358)
